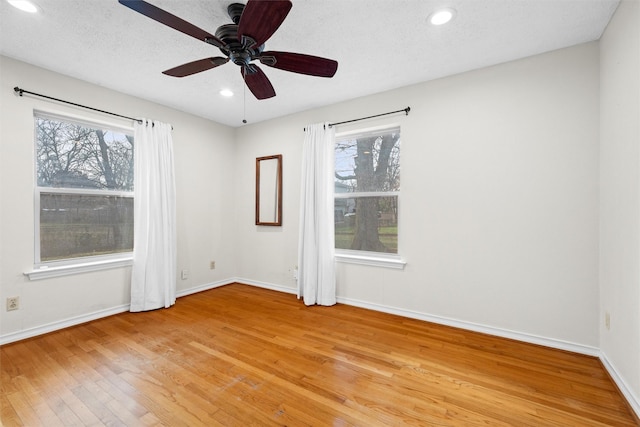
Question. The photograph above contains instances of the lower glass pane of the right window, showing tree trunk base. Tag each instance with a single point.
(367, 224)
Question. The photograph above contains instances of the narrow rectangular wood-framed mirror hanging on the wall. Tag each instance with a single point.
(269, 190)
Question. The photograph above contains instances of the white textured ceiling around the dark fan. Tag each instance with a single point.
(379, 44)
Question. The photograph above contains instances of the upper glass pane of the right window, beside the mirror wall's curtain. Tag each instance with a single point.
(368, 161)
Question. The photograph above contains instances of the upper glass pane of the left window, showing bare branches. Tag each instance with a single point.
(71, 155)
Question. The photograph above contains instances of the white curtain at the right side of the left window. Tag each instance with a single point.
(153, 276)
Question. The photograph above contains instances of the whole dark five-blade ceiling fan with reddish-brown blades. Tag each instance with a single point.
(242, 43)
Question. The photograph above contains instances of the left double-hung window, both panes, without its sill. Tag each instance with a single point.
(84, 190)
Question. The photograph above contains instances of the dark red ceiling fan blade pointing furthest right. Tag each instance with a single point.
(300, 63)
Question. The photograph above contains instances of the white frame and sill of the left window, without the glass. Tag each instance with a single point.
(73, 265)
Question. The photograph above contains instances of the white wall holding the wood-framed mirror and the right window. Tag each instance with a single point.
(499, 199)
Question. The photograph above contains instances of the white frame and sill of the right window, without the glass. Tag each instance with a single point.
(361, 257)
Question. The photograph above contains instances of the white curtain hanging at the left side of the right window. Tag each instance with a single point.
(316, 263)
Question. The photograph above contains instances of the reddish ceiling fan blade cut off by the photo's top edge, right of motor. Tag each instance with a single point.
(261, 18)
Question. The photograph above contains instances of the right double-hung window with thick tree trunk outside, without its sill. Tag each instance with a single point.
(367, 186)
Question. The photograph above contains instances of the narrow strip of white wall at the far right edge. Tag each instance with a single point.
(620, 195)
